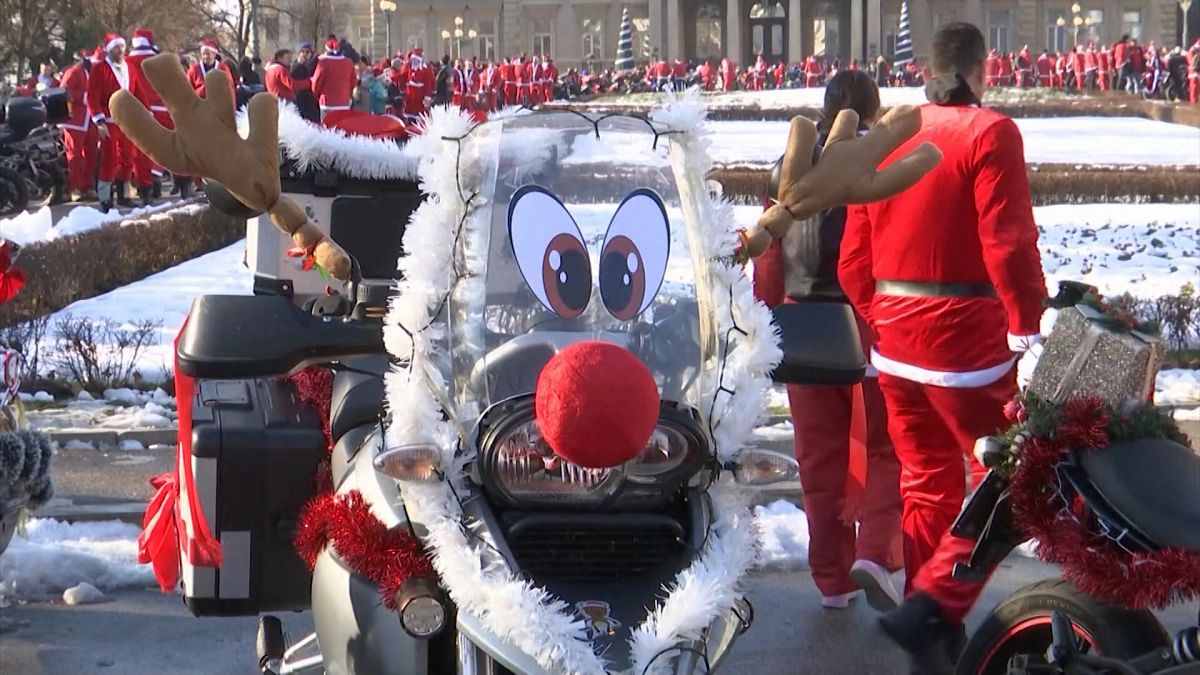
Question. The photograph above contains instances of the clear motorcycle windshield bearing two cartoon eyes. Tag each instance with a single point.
(585, 240)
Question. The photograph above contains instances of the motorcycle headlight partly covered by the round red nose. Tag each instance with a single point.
(519, 467)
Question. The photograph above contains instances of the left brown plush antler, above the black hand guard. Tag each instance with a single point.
(207, 144)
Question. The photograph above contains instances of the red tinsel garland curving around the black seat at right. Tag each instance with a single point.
(1094, 563)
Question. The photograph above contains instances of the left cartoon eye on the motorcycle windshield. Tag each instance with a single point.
(549, 249)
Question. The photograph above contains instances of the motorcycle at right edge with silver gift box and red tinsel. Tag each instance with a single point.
(1111, 491)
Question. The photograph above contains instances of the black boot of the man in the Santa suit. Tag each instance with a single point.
(933, 643)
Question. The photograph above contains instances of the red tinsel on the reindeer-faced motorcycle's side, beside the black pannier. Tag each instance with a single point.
(388, 558)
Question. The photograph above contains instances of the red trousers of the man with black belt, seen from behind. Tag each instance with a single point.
(934, 431)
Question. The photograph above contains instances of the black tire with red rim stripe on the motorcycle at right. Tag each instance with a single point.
(1021, 624)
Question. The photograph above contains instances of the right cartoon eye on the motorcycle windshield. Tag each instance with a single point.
(634, 258)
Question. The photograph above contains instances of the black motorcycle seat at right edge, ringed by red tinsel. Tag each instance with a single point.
(1153, 483)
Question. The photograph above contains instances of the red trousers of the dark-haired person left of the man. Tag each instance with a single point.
(821, 417)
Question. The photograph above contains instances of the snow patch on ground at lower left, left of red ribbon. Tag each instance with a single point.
(57, 557)
